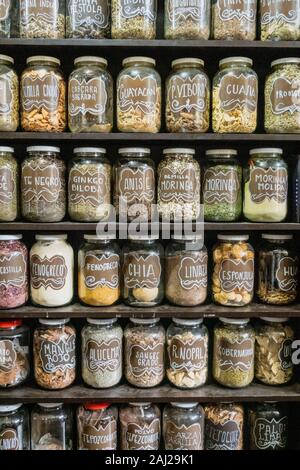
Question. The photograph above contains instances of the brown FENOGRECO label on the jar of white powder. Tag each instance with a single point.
(48, 272)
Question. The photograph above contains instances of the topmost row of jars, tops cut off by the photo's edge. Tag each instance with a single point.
(138, 19)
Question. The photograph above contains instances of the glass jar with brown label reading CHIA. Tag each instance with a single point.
(143, 271)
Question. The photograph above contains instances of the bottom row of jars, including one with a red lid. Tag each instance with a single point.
(141, 426)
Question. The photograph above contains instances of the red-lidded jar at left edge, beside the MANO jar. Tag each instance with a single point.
(14, 353)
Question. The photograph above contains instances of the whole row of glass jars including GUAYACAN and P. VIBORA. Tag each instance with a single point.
(139, 98)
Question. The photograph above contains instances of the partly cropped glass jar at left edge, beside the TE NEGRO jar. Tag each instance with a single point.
(9, 185)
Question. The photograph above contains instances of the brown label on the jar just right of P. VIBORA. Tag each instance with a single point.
(238, 91)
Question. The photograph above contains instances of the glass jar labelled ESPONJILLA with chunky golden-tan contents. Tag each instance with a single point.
(233, 276)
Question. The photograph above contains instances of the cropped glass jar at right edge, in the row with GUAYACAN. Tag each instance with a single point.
(282, 91)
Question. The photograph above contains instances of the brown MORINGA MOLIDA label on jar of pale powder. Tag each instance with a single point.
(268, 184)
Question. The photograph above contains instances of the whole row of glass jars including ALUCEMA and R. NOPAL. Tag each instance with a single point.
(146, 353)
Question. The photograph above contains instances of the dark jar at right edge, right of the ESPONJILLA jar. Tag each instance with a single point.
(278, 270)
